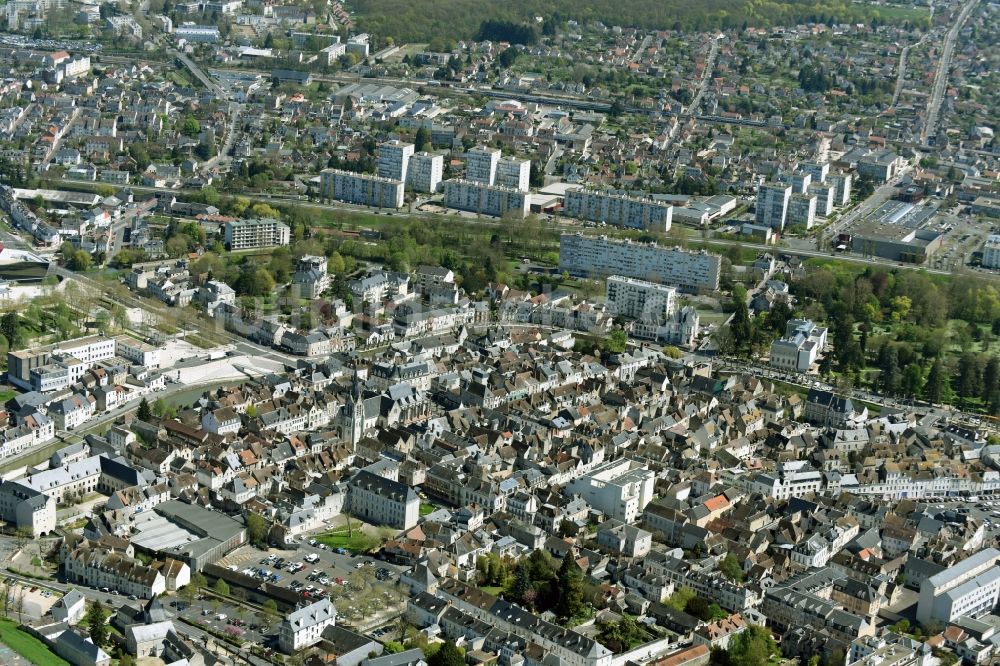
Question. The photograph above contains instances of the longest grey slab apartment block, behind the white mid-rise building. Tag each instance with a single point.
(602, 256)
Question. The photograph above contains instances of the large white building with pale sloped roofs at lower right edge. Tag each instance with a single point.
(971, 588)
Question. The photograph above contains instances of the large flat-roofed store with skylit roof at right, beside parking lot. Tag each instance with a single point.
(897, 231)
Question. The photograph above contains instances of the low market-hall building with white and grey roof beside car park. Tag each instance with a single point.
(188, 532)
